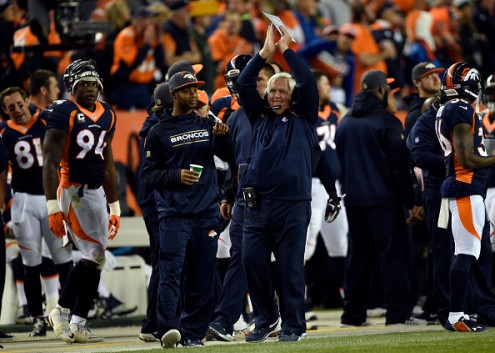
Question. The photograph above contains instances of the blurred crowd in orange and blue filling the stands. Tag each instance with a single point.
(342, 38)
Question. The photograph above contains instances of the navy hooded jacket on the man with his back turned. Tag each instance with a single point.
(373, 156)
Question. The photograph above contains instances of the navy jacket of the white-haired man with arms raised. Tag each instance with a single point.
(284, 150)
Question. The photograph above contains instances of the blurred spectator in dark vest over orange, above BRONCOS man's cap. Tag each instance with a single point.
(177, 40)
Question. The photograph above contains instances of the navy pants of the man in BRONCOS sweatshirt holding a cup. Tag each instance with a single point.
(186, 246)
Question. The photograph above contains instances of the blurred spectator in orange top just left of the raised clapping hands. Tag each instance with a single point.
(226, 43)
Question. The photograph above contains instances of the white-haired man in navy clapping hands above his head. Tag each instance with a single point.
(284, 154)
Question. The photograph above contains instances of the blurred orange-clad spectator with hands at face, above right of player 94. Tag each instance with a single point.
(137, 58)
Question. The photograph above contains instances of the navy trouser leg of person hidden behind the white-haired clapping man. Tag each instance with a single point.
(230, 303)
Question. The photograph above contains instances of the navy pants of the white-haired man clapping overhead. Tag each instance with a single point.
(278, 226)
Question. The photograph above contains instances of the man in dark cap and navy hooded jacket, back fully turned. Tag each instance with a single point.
(377, 182)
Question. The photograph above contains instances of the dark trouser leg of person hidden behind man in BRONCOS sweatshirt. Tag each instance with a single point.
(150, 324)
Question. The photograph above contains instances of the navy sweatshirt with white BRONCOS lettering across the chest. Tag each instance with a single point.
(172, 144)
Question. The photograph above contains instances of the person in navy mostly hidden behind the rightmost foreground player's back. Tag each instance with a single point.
(427, 154)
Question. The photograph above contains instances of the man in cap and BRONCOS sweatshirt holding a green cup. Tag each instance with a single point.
(187, 204)
